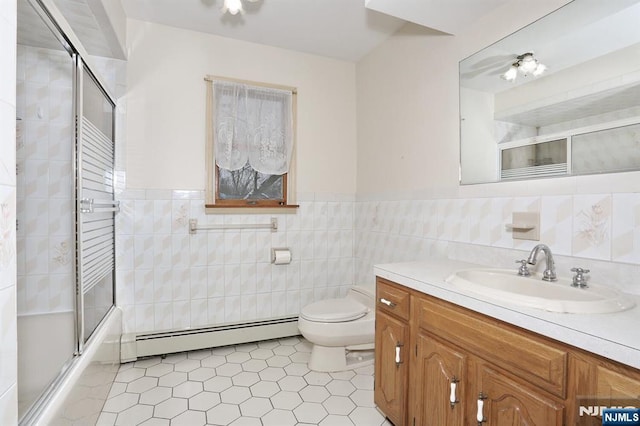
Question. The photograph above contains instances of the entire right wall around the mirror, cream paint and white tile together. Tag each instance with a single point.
(409, 203)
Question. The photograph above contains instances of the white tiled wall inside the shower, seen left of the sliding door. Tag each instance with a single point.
(44, 159)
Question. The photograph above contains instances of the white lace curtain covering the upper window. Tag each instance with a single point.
(252, 124)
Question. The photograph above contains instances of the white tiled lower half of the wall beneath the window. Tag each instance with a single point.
(168, 278)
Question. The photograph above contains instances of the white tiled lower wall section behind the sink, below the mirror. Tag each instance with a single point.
(596, 231)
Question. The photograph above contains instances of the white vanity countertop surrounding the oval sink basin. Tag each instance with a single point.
(615, 336)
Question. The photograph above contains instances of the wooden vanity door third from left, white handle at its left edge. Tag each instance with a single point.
(509, 403)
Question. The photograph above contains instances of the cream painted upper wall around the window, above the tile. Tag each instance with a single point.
(166, 104)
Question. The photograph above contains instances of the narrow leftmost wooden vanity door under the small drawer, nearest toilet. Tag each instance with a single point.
(391, 366)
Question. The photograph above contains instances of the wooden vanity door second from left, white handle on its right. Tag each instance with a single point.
(438, 366)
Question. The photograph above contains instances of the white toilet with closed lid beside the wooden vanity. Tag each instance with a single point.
(341, 331)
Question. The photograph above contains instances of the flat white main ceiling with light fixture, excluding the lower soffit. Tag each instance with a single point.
(341, 29)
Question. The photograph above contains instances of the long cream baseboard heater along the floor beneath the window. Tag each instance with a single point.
(134, 346)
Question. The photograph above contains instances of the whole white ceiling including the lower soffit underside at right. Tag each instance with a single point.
(341, 29)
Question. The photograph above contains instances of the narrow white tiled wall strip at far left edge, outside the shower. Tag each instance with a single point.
(8, 335)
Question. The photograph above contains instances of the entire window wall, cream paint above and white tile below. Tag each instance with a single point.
(170, 279)
